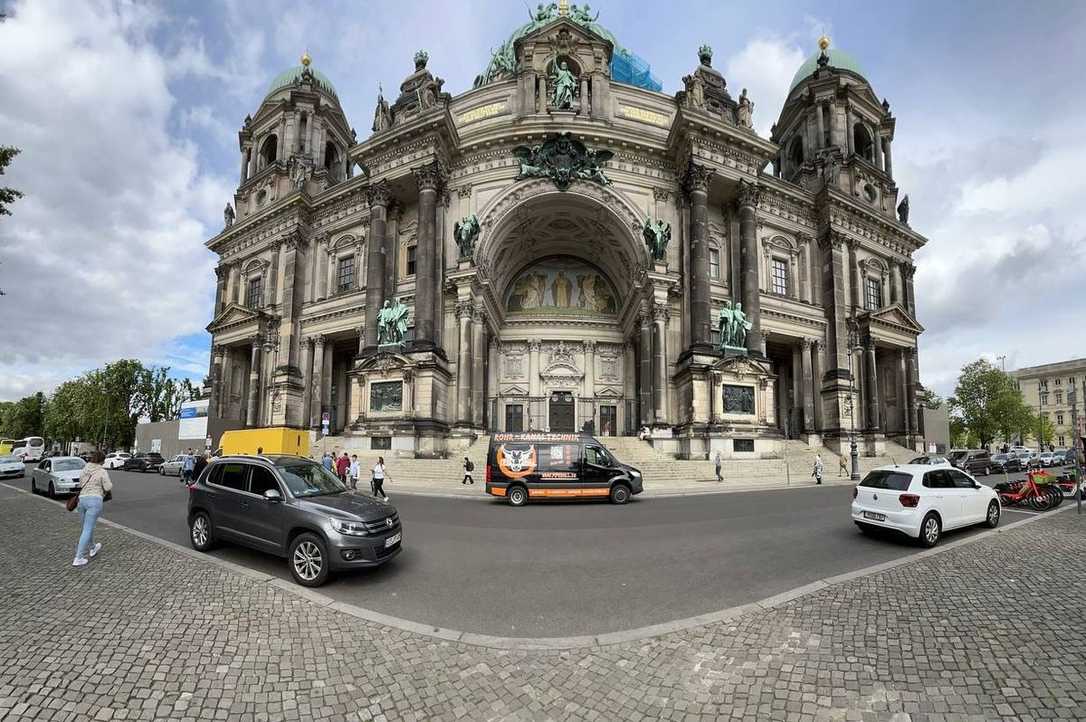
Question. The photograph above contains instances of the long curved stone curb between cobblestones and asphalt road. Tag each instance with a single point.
(542, 644)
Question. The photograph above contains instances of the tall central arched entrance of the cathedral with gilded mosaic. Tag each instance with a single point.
(566, 272)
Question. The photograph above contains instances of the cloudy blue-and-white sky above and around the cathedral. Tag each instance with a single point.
(128, 116)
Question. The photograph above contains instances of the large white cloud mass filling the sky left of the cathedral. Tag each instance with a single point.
(104, 258)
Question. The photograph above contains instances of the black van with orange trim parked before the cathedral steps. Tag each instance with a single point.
(536, 465)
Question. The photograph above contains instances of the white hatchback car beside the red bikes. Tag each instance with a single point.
(923, 502)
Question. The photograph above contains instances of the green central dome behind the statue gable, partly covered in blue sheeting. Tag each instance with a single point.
(626, 67)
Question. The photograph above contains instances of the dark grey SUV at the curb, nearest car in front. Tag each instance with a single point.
(295, 509)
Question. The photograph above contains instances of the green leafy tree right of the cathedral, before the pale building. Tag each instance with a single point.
(988, 402)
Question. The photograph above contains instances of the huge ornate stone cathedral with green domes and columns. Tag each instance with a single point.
(564, 247)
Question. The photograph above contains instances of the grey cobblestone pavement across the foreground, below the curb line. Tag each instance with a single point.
(990, 630)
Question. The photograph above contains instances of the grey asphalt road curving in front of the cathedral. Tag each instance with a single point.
(565, 569)
